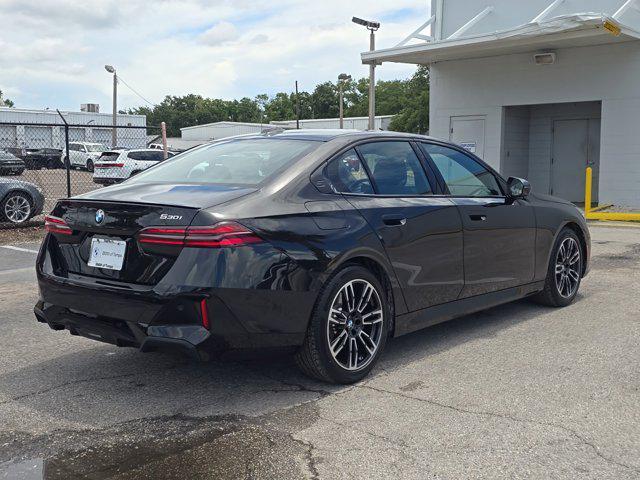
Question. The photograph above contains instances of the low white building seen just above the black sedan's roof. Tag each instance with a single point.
(218, 130)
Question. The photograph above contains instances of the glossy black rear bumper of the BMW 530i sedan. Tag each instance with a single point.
(148, 322)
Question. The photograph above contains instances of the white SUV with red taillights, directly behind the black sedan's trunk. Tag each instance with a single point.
(115, 166)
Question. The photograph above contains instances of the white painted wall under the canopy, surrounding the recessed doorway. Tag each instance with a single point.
(607, 73)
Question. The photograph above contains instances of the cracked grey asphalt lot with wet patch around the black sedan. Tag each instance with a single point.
(519, 391)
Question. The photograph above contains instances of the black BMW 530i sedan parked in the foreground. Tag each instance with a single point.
(327, 242)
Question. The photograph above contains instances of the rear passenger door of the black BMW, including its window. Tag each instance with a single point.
(421, 233)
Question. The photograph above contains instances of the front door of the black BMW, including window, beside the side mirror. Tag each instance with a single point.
(499, 232)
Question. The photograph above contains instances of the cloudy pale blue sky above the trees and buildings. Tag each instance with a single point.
(53, 52)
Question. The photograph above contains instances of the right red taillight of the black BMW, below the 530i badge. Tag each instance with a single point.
(225, 234)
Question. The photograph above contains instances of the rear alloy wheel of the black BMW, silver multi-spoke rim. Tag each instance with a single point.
(355, 325)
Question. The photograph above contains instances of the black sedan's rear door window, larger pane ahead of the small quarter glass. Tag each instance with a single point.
(395, 168)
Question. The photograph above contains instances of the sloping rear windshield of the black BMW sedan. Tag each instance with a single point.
(241, 162)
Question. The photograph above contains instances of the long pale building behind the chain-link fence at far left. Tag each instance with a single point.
(19, 128)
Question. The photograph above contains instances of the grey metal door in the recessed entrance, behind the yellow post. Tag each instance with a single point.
(576, 145)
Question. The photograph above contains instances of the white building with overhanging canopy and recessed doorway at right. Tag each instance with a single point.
(539, 89)
